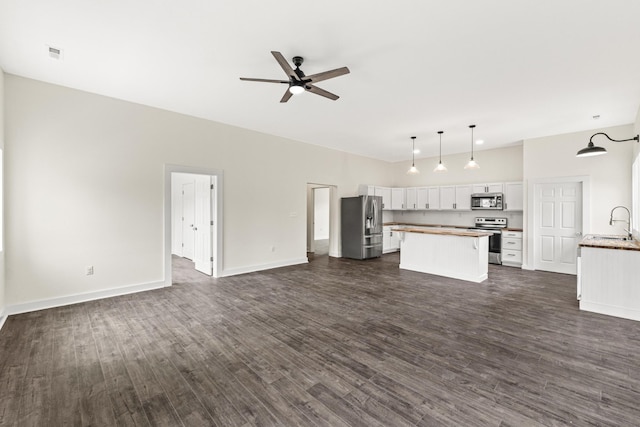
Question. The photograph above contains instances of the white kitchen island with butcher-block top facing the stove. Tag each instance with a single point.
(459, 254)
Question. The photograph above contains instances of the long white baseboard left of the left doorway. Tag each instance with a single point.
(83, 297)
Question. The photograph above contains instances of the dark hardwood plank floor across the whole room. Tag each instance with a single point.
(332, 343)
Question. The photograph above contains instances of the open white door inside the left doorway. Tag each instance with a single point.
(203, 225)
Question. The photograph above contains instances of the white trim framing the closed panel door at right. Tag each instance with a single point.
(585, 180)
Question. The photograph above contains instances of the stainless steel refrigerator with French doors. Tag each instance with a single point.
(361, 227)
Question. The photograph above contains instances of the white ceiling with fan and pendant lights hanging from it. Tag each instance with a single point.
(516, 68)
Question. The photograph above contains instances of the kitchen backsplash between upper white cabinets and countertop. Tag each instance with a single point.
(514, 219)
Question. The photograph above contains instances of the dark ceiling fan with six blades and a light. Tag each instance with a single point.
(298, 82)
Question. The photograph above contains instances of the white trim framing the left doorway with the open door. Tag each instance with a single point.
(218, 248)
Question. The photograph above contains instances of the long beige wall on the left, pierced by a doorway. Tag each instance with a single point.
(86, 184)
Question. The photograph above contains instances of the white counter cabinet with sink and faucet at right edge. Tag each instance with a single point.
(608, 272)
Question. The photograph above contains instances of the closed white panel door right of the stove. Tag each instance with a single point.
(558, 226)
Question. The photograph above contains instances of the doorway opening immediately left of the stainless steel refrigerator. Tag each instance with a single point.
(321, 211)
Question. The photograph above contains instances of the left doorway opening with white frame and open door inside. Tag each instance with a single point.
(193, 223)
